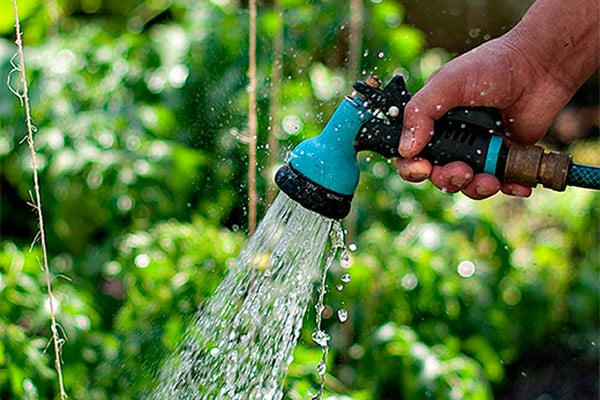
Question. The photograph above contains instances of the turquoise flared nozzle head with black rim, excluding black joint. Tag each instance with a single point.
(322, 172)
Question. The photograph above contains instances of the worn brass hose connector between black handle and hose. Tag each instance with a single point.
(530, 165)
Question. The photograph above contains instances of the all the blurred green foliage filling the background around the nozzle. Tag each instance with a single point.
(139, 107)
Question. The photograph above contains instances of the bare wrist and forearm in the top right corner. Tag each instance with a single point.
(562, 38)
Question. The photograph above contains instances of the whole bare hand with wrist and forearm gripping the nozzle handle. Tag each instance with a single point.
(529, 74)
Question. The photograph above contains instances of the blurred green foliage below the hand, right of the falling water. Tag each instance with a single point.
(464, 290)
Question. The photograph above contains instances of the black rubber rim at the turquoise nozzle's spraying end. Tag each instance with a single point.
(311, 195)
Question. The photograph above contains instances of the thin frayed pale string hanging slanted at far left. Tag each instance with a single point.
(36, 203)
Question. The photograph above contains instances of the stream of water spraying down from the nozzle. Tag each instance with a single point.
(241, 343)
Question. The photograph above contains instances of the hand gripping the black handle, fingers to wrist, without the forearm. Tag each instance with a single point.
(496, 74)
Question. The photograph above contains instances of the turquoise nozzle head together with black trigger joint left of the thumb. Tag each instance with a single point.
(322, 172)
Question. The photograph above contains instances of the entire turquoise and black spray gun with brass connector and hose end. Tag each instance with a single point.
(322, 172)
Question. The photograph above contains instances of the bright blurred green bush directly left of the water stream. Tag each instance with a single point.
(159, 277)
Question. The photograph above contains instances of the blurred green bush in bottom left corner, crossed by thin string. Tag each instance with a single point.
(25, 362)
